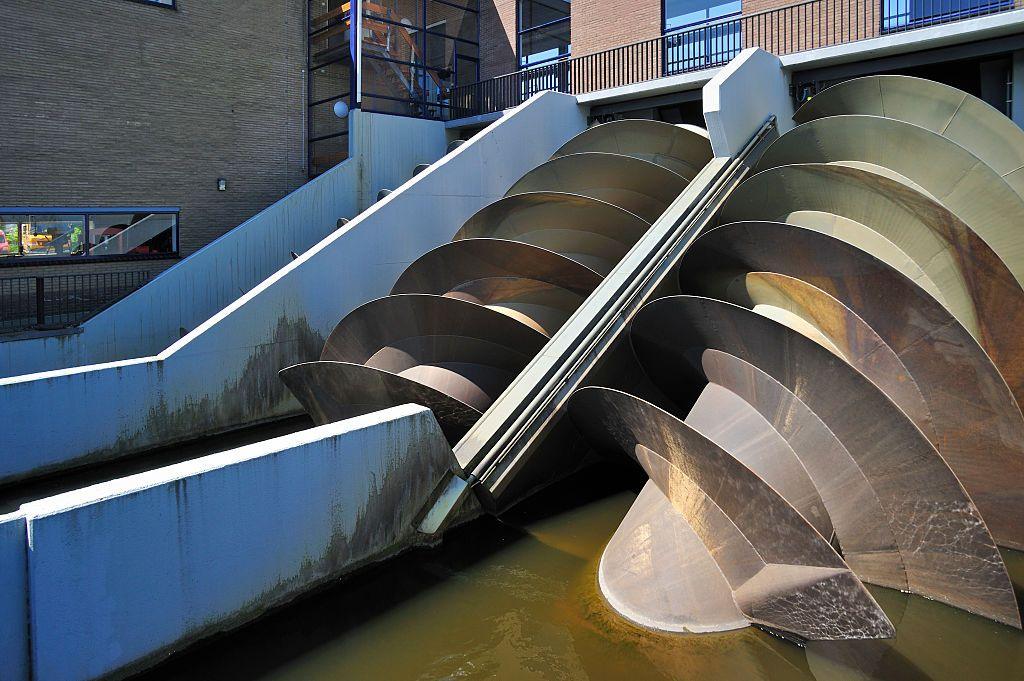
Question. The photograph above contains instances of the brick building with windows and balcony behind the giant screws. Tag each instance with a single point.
(137, 132)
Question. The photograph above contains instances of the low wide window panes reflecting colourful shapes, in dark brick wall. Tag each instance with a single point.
(88, 234)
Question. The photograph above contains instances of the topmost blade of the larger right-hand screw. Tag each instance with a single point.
(960, 117)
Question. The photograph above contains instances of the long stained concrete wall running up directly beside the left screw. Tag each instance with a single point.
(224, 374)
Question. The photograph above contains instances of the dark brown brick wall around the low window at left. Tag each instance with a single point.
(112, 103)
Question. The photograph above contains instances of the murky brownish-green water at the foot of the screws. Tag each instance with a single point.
(519, 600)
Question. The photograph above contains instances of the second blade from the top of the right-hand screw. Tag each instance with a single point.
(944, 169)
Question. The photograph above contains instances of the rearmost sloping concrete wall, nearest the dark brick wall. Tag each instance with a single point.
(385, 151)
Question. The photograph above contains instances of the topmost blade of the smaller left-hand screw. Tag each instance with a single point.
(682, 151)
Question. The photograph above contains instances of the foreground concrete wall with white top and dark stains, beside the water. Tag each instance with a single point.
(124, 572)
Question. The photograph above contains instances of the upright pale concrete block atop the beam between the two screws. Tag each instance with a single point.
(741, 97)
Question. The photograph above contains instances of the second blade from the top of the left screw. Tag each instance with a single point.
(634, 185)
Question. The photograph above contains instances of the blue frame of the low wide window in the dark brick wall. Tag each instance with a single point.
(23, 261)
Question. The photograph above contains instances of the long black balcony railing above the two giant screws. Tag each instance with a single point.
(782, 31)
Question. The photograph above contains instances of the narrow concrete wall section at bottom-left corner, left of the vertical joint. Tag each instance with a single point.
(14, 600)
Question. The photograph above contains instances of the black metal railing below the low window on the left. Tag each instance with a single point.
(62, 301)
